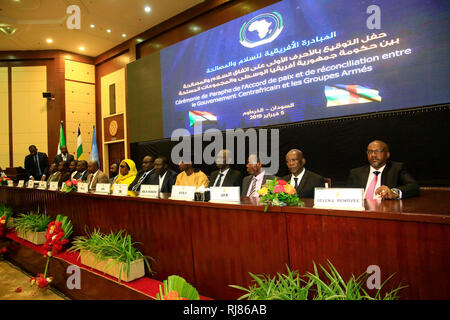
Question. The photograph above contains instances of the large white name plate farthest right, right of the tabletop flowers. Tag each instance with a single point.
(339, 198)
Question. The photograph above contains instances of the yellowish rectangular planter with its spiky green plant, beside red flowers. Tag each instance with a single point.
(113, 254)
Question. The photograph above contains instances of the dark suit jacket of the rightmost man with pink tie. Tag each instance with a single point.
(394, 176)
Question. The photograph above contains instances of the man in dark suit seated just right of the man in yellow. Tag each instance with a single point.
(225, 177)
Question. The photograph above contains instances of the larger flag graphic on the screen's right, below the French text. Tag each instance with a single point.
(341, 94)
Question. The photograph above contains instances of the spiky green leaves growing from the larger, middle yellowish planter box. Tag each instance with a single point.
(117, 247)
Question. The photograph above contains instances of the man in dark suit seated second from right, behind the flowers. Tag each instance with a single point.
(304, 181)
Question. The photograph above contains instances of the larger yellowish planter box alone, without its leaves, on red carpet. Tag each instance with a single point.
(137, 269)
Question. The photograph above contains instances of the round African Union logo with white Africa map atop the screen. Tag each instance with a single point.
(260, 30)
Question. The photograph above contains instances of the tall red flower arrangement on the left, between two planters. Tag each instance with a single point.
(57, 235)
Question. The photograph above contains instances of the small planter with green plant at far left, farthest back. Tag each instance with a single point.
(32, 227)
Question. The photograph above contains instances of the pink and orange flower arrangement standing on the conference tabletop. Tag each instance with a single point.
(278, 193)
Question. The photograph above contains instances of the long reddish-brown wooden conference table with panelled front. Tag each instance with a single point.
(216, 245)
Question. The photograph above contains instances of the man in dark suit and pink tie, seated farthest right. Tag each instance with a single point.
(382, 178)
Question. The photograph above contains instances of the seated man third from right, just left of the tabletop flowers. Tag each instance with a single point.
(253, 182)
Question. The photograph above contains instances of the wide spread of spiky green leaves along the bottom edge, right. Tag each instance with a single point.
(330, 287)
